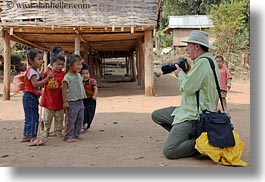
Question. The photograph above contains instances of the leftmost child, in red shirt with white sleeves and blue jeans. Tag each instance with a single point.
(31, 95)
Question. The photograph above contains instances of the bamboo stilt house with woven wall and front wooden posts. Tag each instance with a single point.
(98, 29)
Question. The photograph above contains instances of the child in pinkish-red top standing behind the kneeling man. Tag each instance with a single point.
(225, 79)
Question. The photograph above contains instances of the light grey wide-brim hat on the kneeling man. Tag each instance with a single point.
(200, 37)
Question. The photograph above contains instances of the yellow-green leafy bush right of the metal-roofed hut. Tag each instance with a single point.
(231, 27)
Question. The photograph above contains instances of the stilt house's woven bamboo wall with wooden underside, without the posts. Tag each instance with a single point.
(108, 25)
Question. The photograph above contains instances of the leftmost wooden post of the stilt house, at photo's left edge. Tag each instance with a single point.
(7, 66)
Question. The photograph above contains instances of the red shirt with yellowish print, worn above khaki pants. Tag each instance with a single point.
(52, 96)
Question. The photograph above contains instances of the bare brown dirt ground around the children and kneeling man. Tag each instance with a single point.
(122, 133)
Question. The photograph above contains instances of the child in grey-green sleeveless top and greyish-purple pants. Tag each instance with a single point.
(73, 94)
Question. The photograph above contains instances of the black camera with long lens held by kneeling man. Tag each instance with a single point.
(170, 67)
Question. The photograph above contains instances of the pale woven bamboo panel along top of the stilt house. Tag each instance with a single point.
(90, 13)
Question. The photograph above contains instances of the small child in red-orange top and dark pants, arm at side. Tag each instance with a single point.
(91, 90)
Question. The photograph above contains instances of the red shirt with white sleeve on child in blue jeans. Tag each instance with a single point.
(28, 85)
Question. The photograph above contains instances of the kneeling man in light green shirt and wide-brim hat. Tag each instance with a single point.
(180, 120)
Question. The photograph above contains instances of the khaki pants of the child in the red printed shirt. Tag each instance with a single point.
(58, 116)
